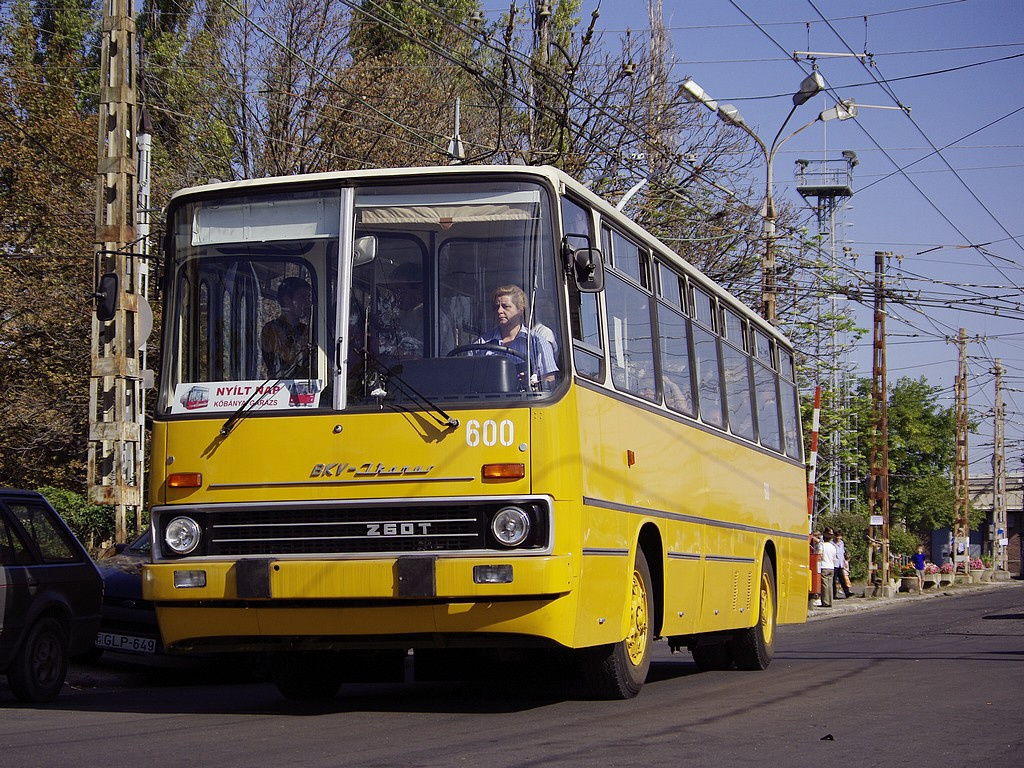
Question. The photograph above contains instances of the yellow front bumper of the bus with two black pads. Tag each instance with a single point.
(337, 603)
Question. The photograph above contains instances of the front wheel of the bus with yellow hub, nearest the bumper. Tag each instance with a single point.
(619, 671)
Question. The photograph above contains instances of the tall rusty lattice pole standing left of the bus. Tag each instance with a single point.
(115, 387)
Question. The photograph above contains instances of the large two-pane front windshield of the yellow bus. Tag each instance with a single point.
(452, 295)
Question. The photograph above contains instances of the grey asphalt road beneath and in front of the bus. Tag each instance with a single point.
(914, 681)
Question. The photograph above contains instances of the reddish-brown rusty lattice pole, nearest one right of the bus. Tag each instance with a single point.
(878, 494)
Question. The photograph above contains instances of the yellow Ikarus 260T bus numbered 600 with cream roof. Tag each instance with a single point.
(464, 410)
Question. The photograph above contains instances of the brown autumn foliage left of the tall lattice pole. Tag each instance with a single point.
(48, 181)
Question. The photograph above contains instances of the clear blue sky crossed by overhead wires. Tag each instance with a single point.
(940, 185)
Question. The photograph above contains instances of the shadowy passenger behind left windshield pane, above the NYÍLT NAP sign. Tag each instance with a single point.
(286, 342)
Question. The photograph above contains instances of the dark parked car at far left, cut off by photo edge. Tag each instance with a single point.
(51, 594)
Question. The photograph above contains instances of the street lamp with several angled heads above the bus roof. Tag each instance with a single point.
(812, 86)
